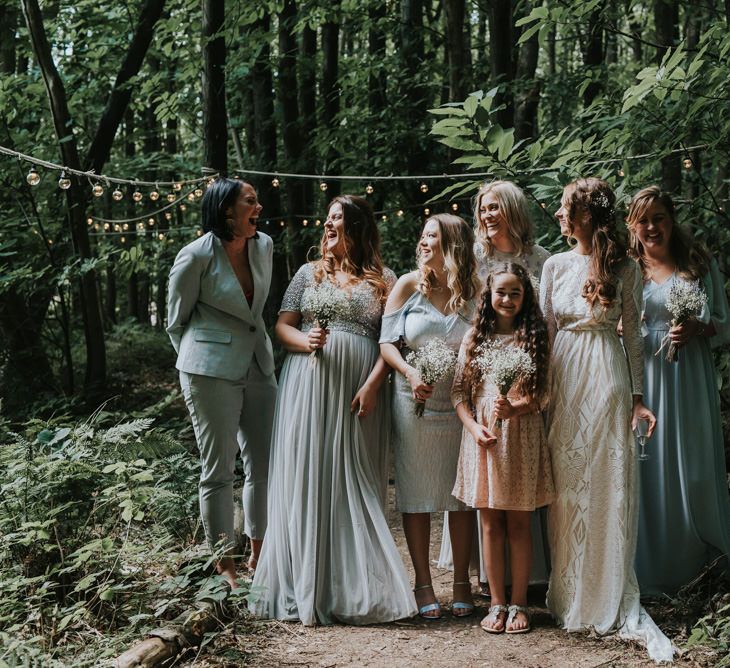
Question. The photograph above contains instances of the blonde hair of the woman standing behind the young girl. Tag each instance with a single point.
(513, 205)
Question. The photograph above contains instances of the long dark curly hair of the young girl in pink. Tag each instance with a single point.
(530, 334)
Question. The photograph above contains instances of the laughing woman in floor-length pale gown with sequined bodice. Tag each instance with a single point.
(328, 554)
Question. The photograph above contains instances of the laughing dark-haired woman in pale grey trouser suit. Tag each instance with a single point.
(218, 286)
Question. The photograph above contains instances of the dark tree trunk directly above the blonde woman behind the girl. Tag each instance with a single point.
(500, 56)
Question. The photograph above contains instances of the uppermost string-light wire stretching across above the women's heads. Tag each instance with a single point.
(326, 177)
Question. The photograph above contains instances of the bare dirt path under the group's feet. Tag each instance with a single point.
(450, 642)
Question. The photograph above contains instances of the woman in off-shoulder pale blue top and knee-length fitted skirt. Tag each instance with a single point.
(435, 301)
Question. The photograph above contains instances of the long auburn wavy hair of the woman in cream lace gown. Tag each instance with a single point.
(608, 249)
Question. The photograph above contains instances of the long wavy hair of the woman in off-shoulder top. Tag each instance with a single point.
(457, 247)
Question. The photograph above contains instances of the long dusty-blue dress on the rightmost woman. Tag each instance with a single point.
(684, 518)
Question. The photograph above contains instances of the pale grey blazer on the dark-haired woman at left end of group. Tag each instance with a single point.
(209, 321)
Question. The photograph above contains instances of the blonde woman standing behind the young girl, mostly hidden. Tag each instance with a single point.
(503, 233)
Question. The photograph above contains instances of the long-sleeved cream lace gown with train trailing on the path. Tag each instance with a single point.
(593, 520)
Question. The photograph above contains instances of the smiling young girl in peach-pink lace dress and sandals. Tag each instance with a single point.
(505, 472)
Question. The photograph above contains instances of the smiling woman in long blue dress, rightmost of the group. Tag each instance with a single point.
(684, 519)
